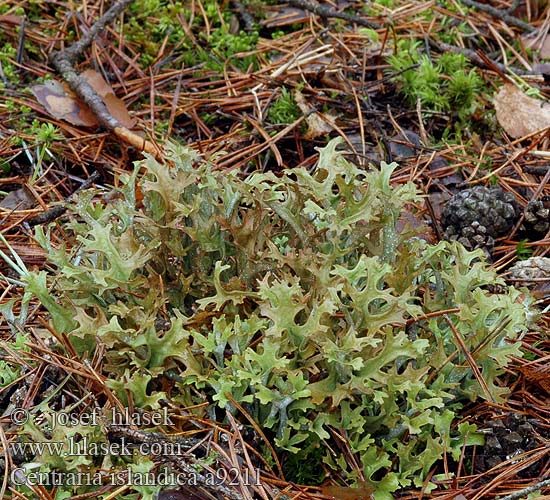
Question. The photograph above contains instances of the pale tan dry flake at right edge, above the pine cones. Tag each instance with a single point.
(520, 114)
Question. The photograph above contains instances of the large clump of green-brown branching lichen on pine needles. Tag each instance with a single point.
(298, 296)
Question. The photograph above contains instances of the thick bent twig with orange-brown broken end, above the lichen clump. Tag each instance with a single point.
(64, 60)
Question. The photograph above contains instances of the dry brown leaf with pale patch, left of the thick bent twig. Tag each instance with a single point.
(63, 104)
